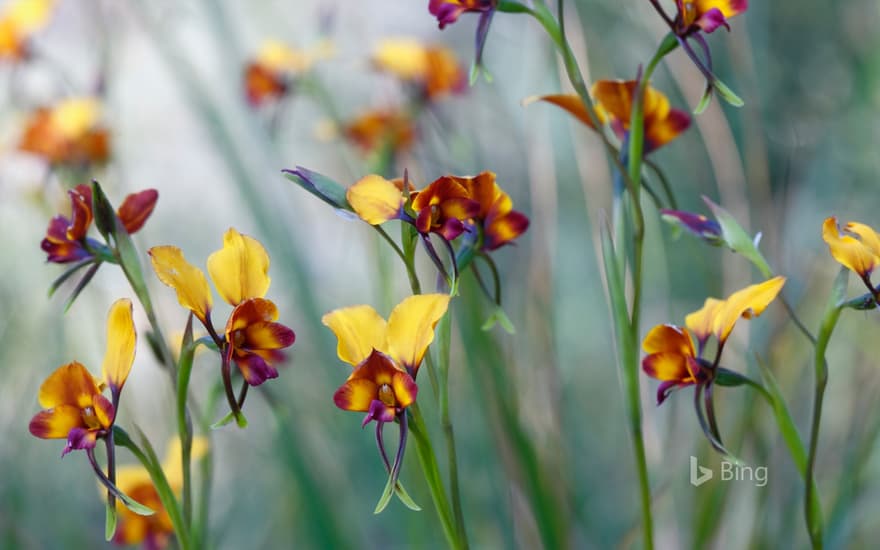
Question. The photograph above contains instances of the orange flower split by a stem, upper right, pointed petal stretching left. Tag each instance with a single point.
(614, 99)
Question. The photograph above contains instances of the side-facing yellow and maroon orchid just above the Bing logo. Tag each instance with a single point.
(675, 355)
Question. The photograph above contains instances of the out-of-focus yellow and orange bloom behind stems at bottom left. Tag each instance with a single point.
(153, 531)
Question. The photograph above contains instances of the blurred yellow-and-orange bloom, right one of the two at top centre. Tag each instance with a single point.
(434, 70)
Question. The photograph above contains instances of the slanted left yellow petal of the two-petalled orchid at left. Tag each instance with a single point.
(190, 283)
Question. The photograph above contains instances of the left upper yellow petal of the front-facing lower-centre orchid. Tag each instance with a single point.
(359, 330)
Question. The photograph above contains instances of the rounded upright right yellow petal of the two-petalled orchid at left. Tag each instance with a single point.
(239, 269)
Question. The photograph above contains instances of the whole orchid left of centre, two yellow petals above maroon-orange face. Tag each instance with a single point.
(252, 339)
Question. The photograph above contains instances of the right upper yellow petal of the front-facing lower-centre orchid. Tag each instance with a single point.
(411, 327)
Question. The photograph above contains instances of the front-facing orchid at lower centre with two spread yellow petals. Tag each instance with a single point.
(386, 356)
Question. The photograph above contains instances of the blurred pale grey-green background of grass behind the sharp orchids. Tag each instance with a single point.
(169, 77)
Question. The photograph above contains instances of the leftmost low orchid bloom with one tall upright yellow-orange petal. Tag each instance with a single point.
(75, 407)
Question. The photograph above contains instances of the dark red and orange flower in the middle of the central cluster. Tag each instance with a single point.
(443, 207)
